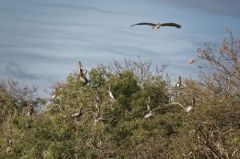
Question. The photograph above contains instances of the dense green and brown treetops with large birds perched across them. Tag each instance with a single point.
(146, 117)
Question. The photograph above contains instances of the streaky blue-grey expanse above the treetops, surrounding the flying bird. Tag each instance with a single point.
(41, 41)
